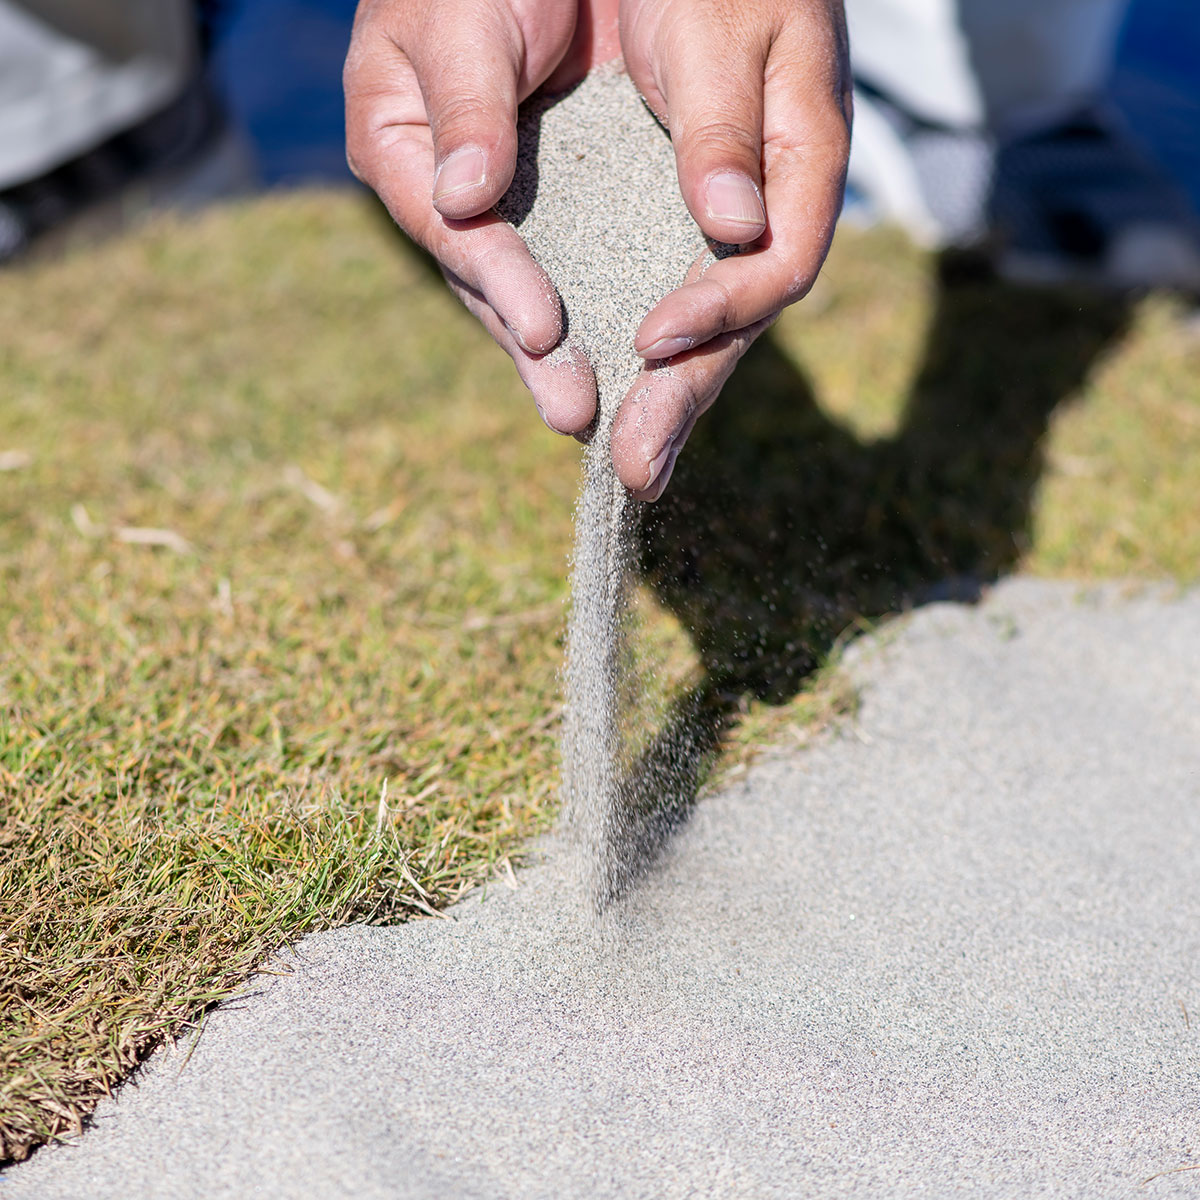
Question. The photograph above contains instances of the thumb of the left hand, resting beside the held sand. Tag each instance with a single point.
(469, 80)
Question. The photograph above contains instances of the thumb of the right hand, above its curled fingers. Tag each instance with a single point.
(713, 93)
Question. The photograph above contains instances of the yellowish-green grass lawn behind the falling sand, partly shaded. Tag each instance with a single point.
(283, 575)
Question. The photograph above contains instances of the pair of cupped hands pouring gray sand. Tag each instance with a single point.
(757, 97)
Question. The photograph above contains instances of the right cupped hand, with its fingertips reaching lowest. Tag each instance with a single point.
(757, 98)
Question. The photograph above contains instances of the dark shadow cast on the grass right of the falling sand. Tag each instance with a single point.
(782, 529)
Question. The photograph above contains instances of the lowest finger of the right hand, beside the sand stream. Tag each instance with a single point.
(663, 407)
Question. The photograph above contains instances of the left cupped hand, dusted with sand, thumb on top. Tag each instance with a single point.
(433, 89)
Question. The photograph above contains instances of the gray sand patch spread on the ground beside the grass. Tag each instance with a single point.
(952, 950)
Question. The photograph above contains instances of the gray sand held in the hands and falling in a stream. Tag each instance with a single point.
(597, 201)
